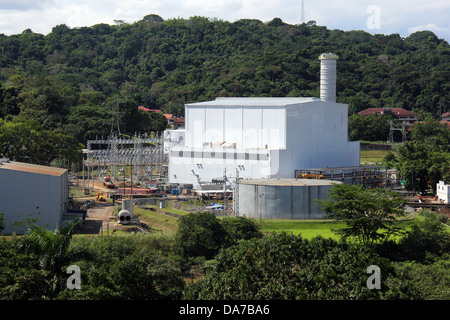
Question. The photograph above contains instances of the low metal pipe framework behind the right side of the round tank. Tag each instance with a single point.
(368, 176)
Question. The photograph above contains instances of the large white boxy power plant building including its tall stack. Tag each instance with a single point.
(262, 138)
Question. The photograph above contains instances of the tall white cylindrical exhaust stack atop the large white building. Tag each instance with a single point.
(328, 76)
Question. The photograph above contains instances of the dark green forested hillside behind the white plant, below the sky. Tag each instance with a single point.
(71, 78)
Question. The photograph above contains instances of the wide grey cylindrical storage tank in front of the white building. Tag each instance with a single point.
(282, 198)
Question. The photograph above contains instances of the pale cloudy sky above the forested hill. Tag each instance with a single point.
(374, 16)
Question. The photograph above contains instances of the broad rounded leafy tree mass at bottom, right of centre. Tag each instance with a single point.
(288, 267)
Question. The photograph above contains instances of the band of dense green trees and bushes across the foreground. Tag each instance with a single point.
(228, 258)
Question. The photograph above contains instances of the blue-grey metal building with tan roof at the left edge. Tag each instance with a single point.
(31, 191)
